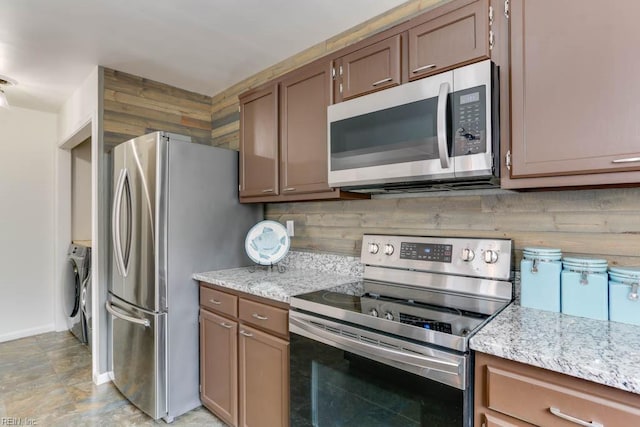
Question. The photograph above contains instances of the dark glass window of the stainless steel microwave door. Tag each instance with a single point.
(405, 133)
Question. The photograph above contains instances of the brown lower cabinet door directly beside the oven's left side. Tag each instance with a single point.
(264, 379)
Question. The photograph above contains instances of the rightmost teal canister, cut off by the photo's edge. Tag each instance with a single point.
(624, 304)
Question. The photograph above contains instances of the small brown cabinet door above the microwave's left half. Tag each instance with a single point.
(369, 69)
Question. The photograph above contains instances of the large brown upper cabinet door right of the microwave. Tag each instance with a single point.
(574, 106)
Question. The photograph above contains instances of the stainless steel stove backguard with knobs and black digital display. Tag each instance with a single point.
(476, 257)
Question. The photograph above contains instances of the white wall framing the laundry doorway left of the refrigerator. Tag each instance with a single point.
(79, 119)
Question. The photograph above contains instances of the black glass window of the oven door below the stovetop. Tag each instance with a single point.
(331, 387)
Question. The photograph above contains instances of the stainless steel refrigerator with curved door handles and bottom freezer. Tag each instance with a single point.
(175, 212)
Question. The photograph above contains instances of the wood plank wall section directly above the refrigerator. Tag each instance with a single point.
(134, 106)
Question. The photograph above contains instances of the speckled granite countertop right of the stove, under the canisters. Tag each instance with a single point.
(599, 351)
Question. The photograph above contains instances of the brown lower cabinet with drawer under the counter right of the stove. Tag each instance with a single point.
(509, 393)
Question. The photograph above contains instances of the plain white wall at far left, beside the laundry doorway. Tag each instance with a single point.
(27, 144)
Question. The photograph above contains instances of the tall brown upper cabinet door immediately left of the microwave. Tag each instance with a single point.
(304, 99)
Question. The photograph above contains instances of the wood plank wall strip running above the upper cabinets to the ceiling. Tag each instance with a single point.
(225, 114)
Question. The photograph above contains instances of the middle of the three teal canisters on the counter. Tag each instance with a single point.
(585, 288)
